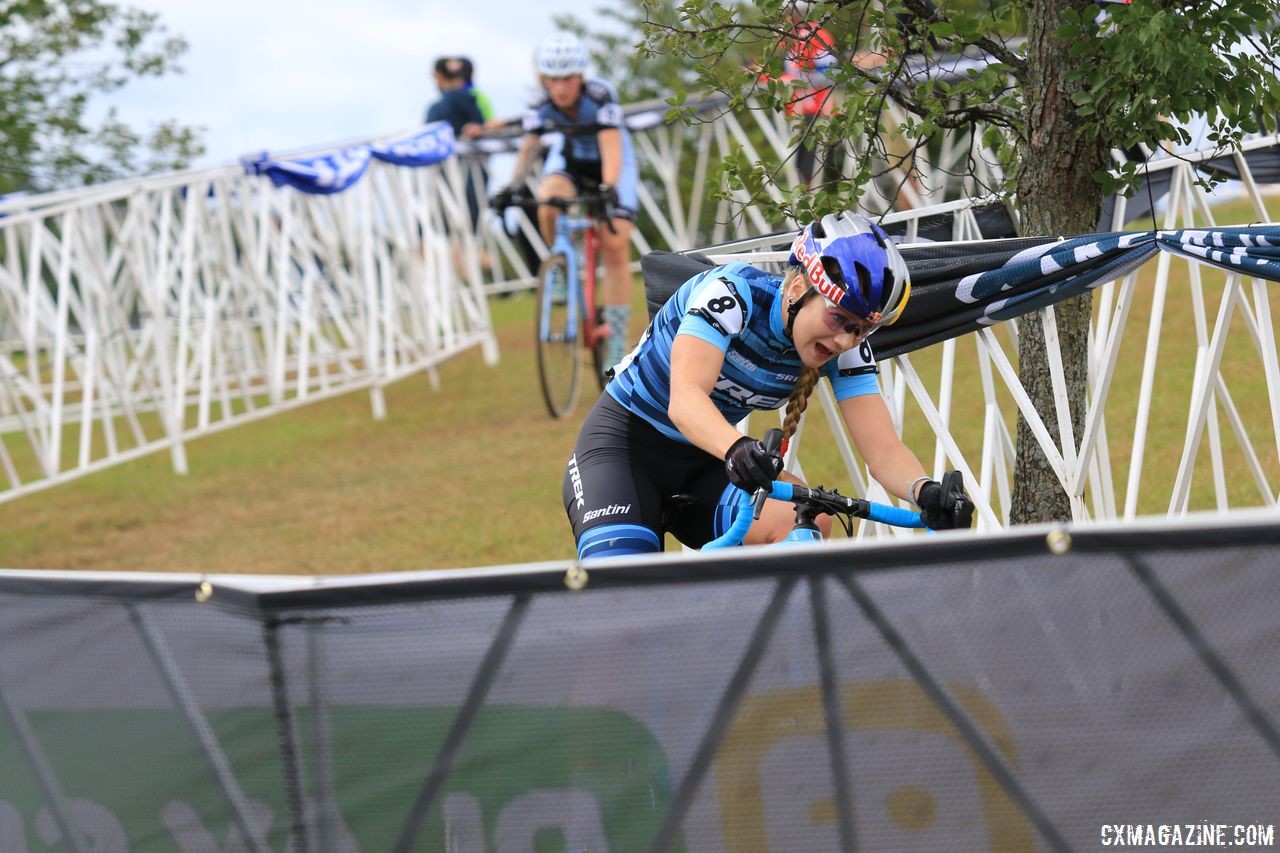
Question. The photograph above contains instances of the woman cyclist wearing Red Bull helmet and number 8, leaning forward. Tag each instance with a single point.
(734, 340)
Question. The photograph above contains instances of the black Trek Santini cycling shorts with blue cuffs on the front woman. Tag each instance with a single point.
(621, 482)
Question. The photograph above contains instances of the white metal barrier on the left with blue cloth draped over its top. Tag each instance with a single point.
(144, 314)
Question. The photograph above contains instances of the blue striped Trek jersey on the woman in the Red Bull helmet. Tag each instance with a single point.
(737, 308)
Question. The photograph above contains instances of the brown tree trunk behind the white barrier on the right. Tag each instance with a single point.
(1058, 197)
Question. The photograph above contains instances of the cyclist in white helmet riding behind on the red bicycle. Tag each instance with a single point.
(602, 161)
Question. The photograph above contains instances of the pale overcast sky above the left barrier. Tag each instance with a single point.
(281, 75)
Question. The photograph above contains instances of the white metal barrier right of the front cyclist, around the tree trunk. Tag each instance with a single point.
(1105, 472)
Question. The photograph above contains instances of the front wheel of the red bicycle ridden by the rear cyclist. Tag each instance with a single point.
(560, 353)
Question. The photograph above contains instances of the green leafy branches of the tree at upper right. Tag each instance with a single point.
(1096, 80)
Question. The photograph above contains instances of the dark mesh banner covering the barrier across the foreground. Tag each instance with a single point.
(948, 694)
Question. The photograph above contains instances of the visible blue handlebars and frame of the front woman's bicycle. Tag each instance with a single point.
(811, 503)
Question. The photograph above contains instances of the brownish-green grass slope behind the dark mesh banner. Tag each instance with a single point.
(470, 475)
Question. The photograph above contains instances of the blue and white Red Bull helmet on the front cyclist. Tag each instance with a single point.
(852, 262)
